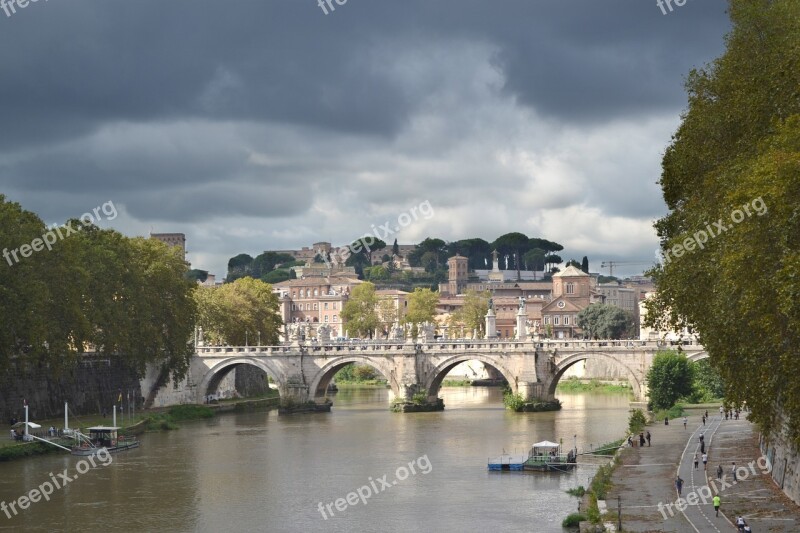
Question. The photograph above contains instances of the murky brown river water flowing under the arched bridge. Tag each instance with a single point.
(261, 472)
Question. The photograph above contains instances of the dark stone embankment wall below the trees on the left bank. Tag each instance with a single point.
(91, 387)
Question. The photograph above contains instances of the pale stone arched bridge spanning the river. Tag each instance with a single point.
(532, 368)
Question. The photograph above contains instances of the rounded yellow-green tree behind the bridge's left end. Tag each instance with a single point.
(236, 313)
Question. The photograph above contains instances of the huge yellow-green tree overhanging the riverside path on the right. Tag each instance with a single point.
(731, 180)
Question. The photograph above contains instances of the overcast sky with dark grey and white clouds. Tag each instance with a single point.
(252, 125)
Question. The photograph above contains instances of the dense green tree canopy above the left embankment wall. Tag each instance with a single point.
(96, 289)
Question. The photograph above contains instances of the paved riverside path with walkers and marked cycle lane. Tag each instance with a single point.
(646, 478)
